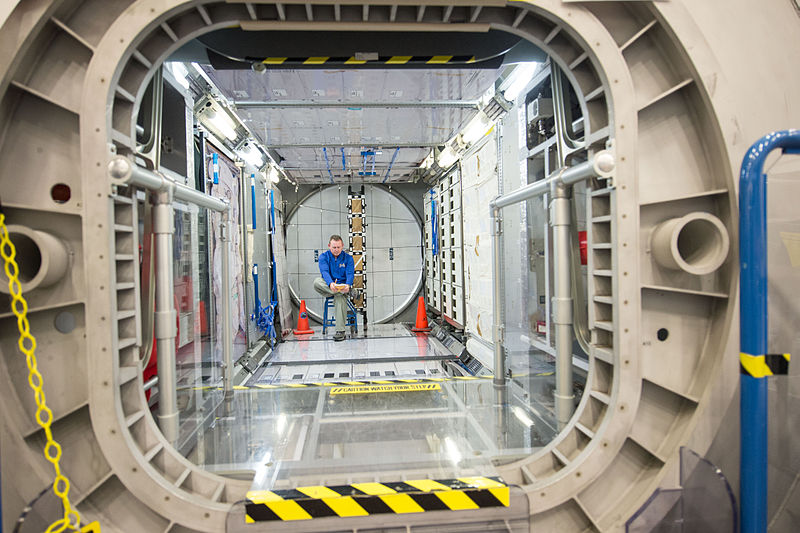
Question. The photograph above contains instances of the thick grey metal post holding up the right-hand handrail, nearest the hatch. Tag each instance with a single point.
(562, 303)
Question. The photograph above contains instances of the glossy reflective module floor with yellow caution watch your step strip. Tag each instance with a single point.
(311, 423)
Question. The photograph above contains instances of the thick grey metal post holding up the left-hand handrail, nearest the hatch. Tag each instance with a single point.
(165, 315)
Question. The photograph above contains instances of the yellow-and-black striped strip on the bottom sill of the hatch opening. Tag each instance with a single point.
(364, 499)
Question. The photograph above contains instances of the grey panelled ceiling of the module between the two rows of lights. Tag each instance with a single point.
(299, 133)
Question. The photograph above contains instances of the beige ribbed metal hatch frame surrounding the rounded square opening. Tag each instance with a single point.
(138, 473)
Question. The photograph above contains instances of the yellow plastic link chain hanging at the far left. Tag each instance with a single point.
(44, 416)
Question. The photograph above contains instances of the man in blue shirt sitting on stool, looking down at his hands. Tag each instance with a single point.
(336, 268)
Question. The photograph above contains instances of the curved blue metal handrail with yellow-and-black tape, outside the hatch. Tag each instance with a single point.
(753, 314)
